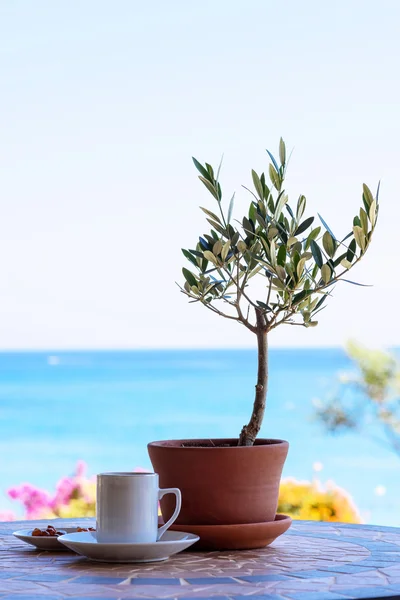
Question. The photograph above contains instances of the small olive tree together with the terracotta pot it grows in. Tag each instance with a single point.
(274, 267)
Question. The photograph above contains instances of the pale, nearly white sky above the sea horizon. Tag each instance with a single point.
(102, 105)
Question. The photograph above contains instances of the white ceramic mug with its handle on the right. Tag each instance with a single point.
(127, 508)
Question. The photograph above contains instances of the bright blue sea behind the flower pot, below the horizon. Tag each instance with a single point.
(104, 407)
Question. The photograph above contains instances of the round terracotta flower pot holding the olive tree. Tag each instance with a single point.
(221, 483)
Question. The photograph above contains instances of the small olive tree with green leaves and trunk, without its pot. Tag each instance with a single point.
(296, 261)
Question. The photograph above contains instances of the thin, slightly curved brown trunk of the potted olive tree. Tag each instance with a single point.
(250, 431)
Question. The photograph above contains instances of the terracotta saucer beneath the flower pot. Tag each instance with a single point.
(237, 537)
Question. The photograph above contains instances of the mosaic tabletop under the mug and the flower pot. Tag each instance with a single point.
(312, 561)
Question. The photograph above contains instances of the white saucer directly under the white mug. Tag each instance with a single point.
(85, 543)
